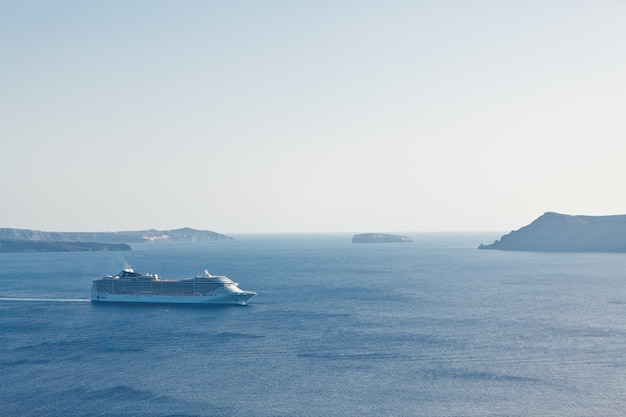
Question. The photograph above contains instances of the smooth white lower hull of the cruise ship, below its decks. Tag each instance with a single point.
(229, 298)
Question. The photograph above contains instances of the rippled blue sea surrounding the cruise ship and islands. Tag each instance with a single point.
(435, 327)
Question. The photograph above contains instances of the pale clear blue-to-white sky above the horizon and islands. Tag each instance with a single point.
(322, 116)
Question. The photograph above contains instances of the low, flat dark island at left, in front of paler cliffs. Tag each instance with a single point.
(48, 246)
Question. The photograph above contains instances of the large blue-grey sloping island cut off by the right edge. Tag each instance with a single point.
(554, 232)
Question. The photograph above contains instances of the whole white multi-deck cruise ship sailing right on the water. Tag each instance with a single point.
(131, 287)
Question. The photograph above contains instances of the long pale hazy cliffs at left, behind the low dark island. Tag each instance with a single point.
(152, 235)
